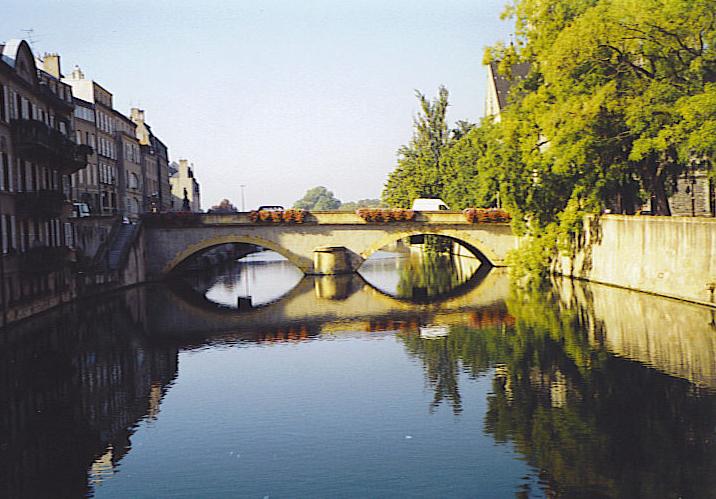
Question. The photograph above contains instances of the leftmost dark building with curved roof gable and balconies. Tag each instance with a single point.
(38, 155)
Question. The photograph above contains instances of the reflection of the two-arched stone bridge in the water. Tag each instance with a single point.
(183, 309)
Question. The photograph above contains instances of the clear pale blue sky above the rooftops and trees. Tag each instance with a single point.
(278, 95)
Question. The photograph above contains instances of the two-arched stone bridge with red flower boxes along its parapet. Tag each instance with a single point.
(326, 243)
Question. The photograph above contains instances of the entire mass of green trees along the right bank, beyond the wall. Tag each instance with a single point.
(619, 101)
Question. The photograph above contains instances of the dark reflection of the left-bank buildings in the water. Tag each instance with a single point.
(72, 388)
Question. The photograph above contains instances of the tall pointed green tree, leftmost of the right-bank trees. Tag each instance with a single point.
(419, 173)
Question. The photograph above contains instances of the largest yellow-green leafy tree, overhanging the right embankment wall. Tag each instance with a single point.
(612, 90)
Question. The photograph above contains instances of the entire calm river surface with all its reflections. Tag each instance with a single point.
(423, 377)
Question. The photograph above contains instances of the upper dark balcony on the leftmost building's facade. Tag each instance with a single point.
(36, 141)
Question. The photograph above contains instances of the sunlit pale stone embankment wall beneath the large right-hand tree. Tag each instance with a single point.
(669, 256)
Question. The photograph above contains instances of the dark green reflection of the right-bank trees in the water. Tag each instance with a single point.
(596, 425)
